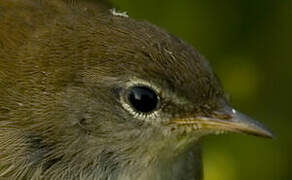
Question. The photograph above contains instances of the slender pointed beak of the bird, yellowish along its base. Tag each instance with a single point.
(227, 119)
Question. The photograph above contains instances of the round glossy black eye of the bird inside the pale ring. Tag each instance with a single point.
(143, 99)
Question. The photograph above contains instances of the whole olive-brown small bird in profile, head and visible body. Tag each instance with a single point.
(89, 93)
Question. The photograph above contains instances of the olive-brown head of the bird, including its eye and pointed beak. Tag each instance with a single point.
(141, 90)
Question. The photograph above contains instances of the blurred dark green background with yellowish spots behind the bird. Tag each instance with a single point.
(248, 43)
